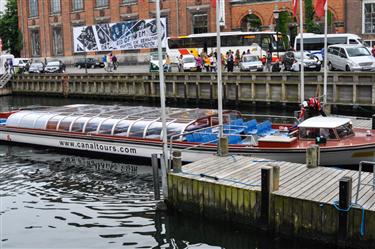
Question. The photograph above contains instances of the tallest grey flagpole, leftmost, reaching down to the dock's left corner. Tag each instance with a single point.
(164, 159)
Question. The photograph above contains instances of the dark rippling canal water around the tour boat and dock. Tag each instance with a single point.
(53, 200)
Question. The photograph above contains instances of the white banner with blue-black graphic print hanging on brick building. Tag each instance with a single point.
(118, 36)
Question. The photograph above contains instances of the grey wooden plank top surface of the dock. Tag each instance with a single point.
(296, 180)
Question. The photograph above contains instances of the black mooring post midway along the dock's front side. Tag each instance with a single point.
(266, 188)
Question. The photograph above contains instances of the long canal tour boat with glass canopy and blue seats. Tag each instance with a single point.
(137, 132)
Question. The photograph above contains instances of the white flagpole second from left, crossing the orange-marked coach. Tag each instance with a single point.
(219, 73)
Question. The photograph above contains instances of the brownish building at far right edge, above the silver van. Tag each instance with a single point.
(364, 24)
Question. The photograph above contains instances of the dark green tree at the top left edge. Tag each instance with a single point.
(9, 32)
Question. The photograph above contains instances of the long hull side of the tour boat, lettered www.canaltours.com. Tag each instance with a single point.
(329, 157)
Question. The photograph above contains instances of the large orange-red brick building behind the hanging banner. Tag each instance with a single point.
(47, 24)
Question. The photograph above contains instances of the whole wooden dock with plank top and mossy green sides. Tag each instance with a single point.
(302, 203)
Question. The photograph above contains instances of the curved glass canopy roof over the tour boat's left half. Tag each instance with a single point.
(121, 121)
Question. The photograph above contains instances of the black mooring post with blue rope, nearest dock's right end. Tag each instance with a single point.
(345, 200)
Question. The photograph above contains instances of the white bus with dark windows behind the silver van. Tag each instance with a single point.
(314, 43)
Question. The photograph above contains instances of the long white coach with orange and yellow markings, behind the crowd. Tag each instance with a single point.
(256, 42)
